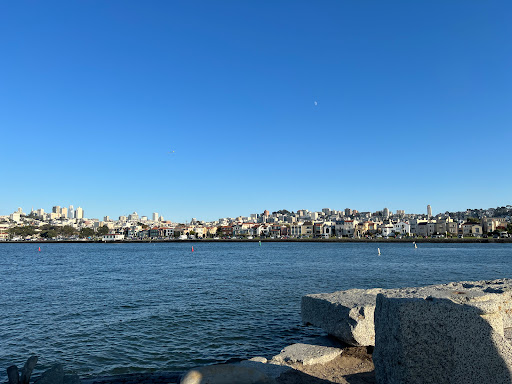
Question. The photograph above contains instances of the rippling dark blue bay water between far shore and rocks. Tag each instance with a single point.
(105, 309)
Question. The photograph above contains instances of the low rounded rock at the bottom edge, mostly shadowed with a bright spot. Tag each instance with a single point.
(226, 374)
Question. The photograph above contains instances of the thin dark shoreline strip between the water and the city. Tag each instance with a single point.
(343, 240)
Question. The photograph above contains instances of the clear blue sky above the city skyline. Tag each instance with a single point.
(211, 109)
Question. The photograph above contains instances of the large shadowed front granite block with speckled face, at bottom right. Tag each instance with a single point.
(438, 341)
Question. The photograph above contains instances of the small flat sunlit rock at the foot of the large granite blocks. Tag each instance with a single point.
(306, 354)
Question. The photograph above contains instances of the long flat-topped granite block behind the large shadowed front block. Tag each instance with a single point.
(349, 315)
